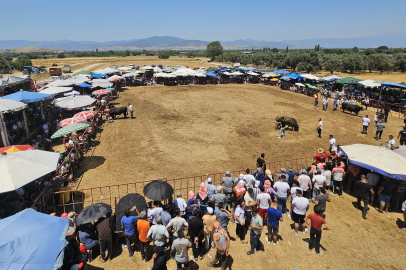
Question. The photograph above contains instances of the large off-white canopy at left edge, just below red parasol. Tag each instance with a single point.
(20, 168)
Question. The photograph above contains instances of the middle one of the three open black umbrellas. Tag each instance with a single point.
(129, 201)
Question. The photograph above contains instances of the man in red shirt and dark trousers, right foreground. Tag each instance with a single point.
(316, 225)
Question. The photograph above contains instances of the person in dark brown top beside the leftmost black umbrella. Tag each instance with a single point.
(104, 232)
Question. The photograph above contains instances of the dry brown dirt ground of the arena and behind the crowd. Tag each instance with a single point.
(190, 130)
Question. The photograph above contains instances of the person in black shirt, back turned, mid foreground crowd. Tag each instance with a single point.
(196, 229)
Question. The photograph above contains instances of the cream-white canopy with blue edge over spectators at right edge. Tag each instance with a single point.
(382, 161)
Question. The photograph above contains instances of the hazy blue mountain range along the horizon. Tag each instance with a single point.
(174, 43)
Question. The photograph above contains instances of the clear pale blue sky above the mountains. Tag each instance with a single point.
(101, 20)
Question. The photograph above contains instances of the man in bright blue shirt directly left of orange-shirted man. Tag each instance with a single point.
(129, 226)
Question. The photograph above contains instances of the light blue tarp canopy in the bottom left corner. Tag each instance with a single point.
(32, 241)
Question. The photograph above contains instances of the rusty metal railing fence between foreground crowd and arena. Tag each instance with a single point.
(79, 198)
